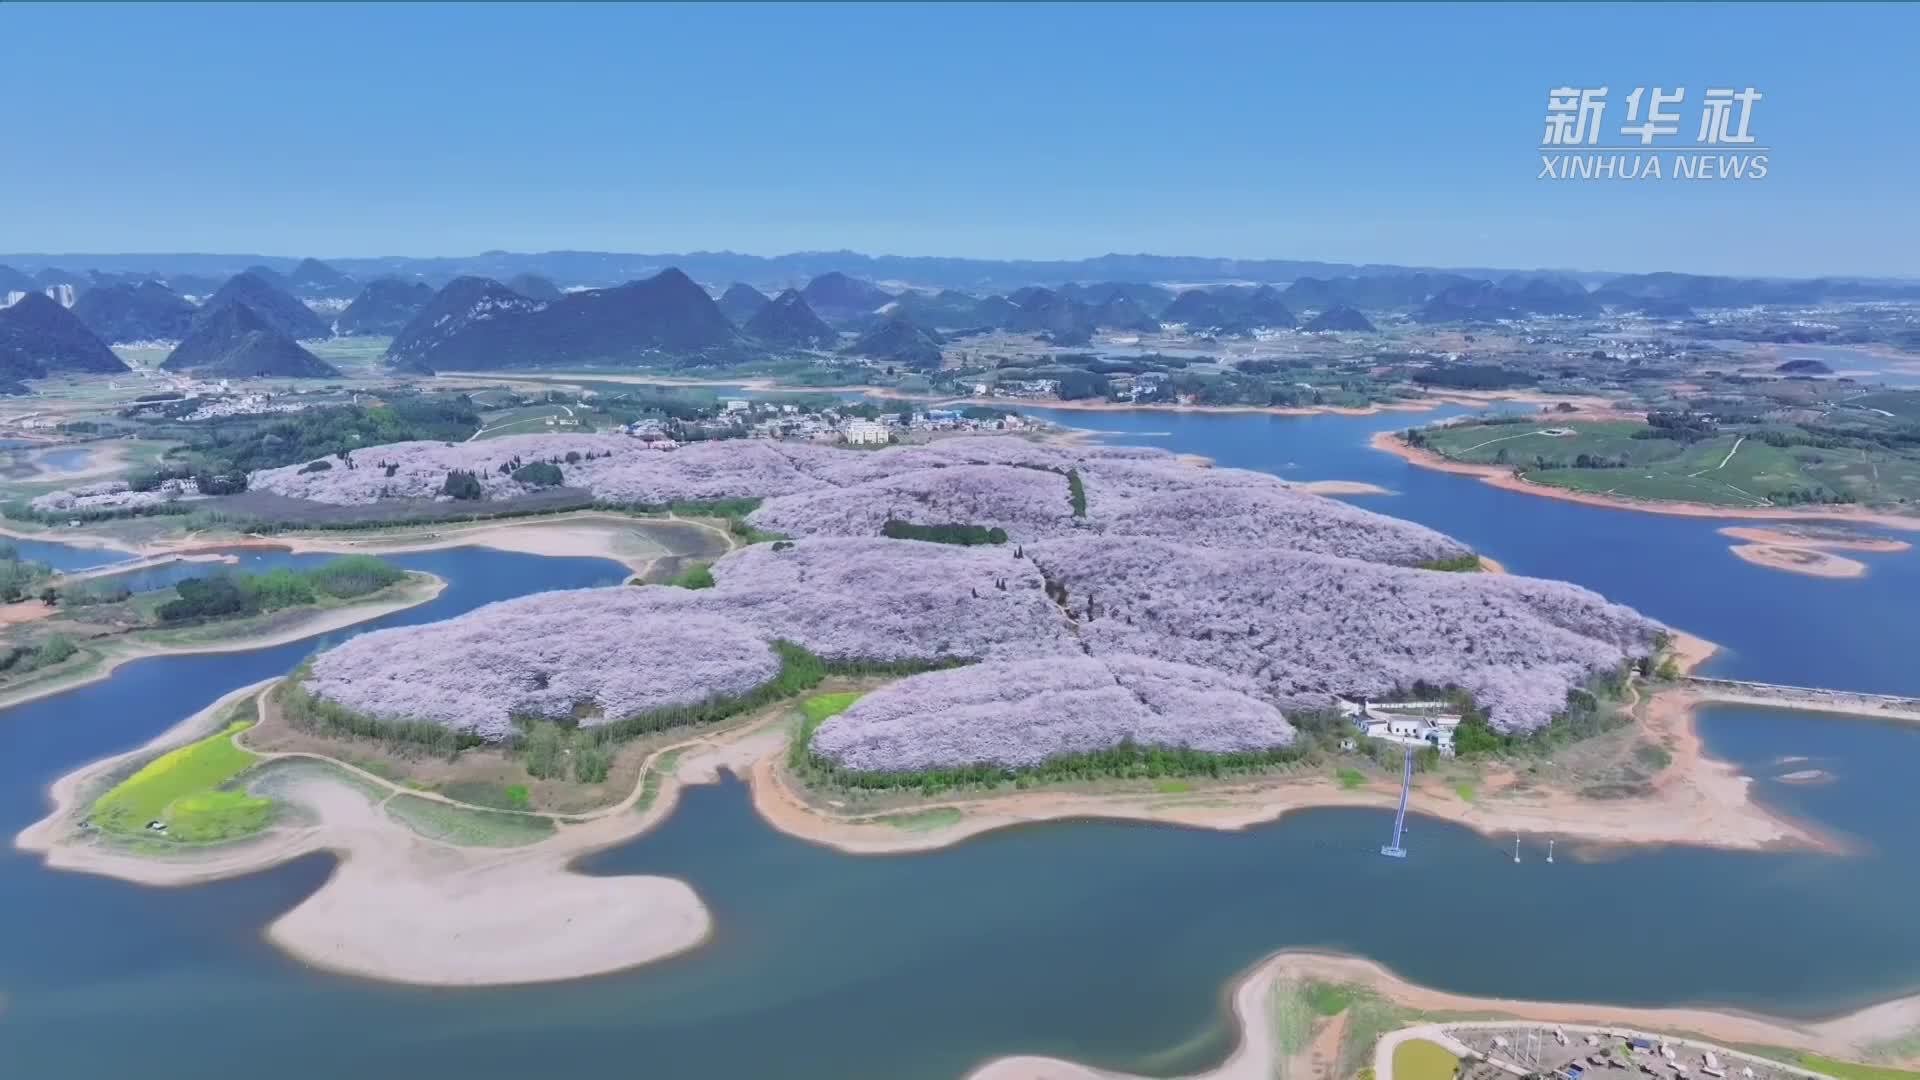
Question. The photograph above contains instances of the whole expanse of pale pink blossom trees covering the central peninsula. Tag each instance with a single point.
(1174, 604)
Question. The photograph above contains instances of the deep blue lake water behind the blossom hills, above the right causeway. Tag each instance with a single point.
(1773, 626)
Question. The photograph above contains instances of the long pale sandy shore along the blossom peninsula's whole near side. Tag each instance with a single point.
(414, 910)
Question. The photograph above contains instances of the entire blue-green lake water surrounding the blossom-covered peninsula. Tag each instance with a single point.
(1095, 941)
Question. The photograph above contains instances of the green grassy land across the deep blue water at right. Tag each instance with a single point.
(1727, 470)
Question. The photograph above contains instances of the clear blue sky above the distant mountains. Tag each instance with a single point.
(1362, 134)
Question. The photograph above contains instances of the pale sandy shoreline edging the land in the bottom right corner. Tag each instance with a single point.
(1255, 1058)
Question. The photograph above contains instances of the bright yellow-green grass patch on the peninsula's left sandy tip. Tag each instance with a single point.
(185, 789)
